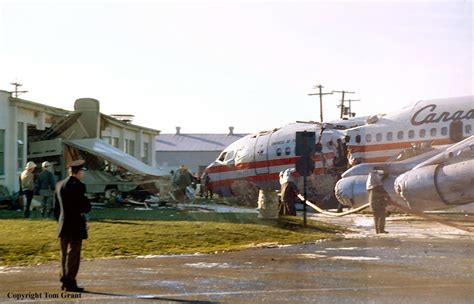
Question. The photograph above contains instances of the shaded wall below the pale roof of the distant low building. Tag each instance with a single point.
(194, 160)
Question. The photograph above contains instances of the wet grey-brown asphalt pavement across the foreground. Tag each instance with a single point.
(417, 262)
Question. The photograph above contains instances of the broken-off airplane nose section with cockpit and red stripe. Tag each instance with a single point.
(259, 158)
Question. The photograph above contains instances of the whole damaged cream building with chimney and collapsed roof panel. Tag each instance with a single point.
(31, 131)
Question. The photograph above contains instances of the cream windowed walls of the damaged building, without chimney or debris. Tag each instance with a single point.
(41, 117)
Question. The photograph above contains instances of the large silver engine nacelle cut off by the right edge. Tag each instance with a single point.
(437, 186)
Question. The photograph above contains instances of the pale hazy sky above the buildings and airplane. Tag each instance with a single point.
(207, 65)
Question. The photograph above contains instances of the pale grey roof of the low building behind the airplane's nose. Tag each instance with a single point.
(195, 142)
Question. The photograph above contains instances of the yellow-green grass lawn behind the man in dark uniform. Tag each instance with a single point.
(128, 232)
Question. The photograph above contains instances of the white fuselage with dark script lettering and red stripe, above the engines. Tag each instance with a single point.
(439, 121)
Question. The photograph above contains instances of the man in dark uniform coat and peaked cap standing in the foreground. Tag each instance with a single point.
(70, 207)
